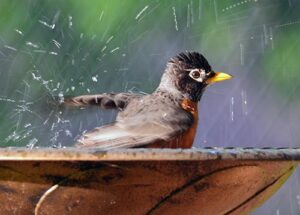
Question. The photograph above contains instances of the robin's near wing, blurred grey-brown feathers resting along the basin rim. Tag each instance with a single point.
(137, 133)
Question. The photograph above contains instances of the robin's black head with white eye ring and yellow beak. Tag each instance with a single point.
(189, 74)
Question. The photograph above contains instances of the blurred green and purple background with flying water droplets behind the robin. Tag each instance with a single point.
(56, 48)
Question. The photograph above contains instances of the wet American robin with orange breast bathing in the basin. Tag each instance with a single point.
(167, 118)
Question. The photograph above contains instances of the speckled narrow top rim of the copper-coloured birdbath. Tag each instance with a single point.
(142, 154)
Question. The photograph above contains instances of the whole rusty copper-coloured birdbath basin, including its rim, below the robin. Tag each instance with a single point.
(141, 181)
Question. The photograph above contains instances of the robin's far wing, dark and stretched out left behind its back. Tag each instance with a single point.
(105, 100)
